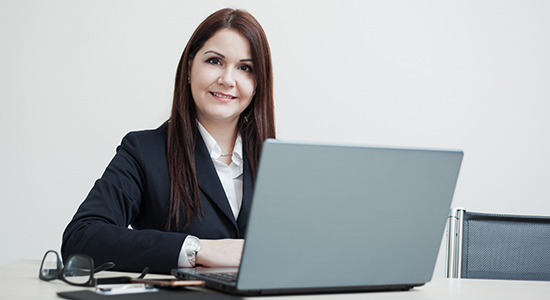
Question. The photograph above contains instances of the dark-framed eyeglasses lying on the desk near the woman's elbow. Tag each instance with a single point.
(78, 270)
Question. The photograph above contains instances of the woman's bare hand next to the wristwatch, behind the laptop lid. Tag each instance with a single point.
(220, 253)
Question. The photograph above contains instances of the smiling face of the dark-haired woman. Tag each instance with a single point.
(222, 78)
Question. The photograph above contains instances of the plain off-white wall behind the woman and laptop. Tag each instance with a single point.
(76, 76)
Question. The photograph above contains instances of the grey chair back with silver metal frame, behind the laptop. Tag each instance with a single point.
(491, 246)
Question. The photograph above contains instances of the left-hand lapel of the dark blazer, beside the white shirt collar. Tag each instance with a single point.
(209, 181)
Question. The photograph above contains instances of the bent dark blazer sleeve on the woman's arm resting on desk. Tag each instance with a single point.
(100, 226)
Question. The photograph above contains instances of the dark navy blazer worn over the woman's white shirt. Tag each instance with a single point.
(135, 190)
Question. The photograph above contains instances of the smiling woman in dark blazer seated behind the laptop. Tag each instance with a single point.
(186, 187)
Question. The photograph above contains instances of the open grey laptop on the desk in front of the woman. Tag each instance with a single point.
(336, 218)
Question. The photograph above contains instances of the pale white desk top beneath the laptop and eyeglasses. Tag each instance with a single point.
(19, 280)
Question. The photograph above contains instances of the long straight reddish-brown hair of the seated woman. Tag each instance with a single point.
(255, 125)
